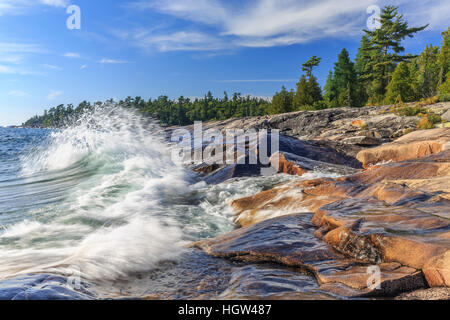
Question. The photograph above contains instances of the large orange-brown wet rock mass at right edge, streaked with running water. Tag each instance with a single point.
(392, 213)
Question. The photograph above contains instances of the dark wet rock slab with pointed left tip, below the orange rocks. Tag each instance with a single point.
(290, 241)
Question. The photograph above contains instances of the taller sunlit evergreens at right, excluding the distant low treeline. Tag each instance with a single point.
(380, 74)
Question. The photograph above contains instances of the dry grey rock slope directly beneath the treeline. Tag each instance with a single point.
(346, 131)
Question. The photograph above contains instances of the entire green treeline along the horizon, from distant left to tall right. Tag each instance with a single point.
(380, 74)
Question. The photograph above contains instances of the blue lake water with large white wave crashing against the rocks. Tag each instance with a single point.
(103, 200)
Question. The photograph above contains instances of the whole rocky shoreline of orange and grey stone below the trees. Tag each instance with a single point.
(390, 209)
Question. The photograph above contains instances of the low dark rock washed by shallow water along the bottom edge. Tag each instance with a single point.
(200, 276)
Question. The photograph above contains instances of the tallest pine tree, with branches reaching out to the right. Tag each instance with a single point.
(386, 48)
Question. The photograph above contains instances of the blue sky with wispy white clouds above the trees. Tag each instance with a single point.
(150, 48)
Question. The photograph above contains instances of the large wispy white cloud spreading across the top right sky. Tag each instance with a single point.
(268, 23)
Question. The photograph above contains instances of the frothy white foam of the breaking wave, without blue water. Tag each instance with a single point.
(108, 223)
